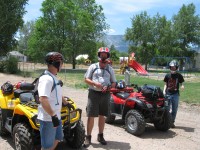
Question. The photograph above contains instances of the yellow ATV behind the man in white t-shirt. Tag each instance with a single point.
(18, 116)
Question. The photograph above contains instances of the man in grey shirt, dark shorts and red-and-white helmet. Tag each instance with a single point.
(99, 76)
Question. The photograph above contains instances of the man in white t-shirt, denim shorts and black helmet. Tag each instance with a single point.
(50, 102)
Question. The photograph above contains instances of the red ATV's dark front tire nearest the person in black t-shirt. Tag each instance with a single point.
(165, 123)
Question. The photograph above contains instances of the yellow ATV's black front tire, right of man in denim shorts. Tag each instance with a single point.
(77, 136)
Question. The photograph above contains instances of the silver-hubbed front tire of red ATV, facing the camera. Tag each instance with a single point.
(134, 122)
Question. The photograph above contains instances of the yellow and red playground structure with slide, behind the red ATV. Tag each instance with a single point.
(127, 62)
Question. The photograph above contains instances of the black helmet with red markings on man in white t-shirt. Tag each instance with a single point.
(54, 58)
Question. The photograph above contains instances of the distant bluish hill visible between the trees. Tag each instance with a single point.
(118, 41)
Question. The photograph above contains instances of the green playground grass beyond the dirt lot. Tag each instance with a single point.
(75, 79)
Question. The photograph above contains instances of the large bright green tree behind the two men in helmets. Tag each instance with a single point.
(70, 27)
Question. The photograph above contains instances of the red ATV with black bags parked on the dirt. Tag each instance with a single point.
(136, 108)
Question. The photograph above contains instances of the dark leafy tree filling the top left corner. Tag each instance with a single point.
(11, 19)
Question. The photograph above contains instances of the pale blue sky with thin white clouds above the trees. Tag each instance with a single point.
(118, 13)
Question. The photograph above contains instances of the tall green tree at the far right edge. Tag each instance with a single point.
(186, 26)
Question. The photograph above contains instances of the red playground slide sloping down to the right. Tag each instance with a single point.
(137, 67)
